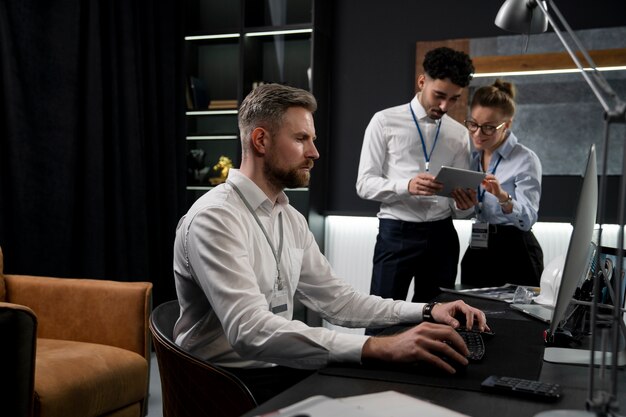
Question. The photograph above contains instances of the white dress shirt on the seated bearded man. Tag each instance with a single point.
(225, 274)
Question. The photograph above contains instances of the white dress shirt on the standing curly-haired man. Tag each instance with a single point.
(392, 154)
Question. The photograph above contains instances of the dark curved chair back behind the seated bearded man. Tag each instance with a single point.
(192, 387)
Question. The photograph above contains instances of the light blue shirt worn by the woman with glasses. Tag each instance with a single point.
(519, 174)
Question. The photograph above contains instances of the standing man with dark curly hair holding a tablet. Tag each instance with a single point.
(404, 148)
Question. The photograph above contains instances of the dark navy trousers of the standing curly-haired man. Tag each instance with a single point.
(428, 252)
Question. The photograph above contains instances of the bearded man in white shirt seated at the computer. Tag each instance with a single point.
(242, 255)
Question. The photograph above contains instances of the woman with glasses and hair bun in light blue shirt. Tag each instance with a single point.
(503, 249)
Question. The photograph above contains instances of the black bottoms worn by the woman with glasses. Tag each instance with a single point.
(513, 256)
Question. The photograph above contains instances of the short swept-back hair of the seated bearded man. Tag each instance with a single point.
(266, 105)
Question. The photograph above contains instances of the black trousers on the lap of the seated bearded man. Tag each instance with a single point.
(265, 383)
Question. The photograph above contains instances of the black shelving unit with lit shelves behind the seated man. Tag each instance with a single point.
(231, 47)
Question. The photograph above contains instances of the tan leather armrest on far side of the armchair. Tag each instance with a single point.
(96, 311)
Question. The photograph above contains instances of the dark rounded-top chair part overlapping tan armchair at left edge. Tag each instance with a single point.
(18, 327)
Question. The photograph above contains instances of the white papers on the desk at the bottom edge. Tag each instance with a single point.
(380, 404)
